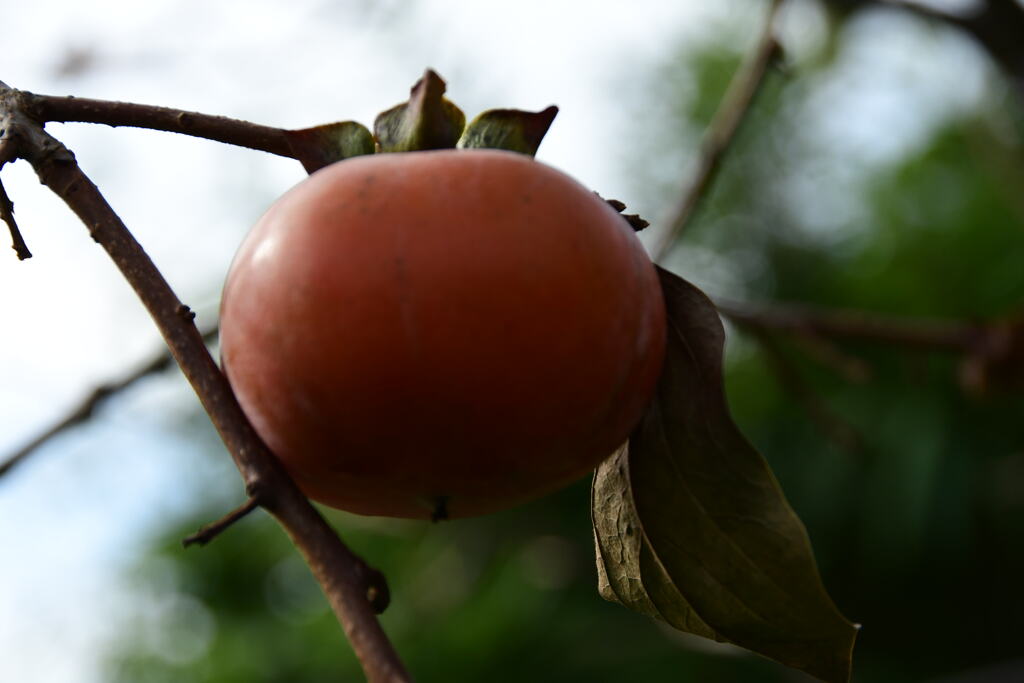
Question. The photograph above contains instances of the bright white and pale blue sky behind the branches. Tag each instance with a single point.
(74, 517)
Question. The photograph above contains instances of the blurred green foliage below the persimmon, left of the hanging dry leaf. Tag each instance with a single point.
(509, 597)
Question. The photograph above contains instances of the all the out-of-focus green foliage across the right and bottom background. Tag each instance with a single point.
(913, 489)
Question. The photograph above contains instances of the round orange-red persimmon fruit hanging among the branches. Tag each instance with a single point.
(442, 333)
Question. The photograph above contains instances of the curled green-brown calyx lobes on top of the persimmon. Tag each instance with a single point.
(426, 121)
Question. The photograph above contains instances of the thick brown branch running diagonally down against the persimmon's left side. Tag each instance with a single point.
(345, 578)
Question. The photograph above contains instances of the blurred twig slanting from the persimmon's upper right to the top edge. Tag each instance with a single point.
(733, 111)
